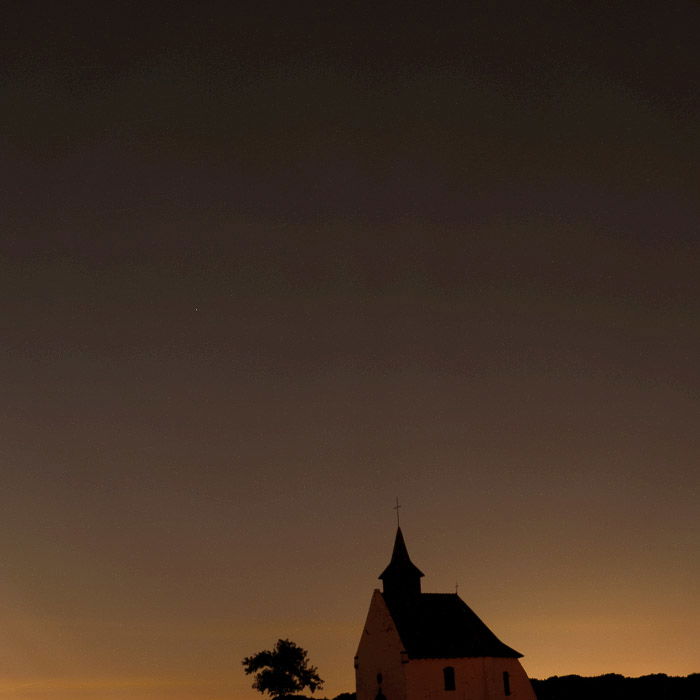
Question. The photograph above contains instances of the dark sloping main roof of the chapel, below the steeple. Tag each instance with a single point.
(442, 625)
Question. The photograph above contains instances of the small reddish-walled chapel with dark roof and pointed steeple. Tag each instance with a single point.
(430, 646)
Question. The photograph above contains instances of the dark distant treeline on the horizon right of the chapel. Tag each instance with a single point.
(613, 686)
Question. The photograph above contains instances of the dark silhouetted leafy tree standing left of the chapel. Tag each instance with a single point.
(283, 670)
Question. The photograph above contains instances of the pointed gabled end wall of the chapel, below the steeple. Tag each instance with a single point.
(380, 652)
